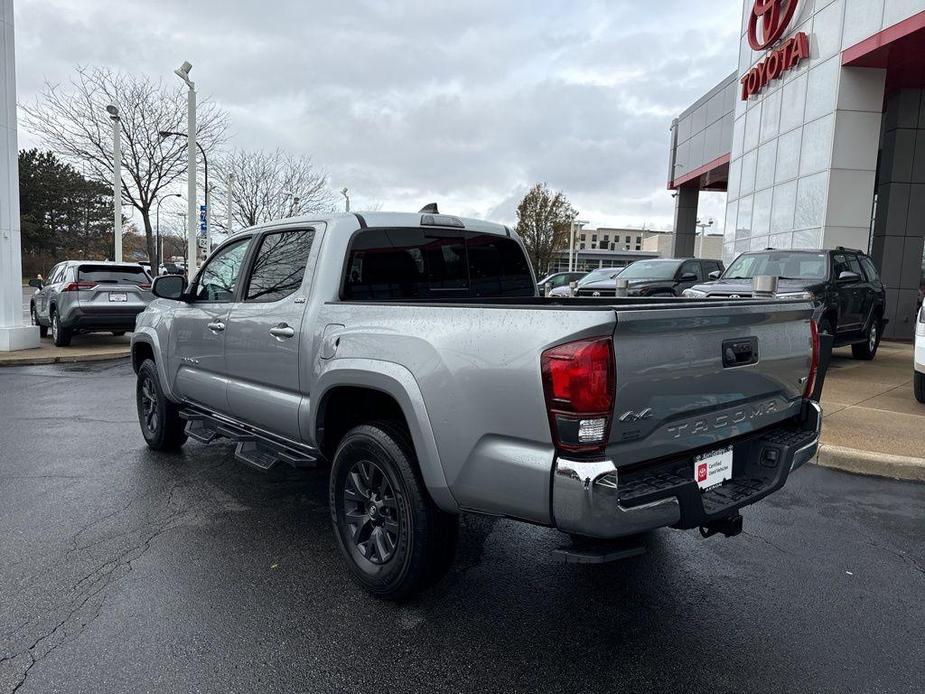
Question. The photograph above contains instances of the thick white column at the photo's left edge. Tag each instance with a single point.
(14, 333)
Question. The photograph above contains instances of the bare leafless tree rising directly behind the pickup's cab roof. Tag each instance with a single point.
(271, 185)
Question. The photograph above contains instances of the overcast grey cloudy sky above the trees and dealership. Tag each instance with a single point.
(465, 103)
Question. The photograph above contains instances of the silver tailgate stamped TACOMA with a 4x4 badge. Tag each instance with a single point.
(695, 376)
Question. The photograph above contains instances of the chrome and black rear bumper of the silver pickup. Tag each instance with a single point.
(596, 499)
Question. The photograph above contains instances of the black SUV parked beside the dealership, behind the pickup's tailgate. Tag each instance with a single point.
(843, 283)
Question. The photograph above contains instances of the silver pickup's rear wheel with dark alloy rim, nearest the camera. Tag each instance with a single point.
(395, 540)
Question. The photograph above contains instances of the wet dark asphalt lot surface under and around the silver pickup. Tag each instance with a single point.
(125, 570)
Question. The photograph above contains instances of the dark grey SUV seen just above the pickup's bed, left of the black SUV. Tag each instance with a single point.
(657, 277)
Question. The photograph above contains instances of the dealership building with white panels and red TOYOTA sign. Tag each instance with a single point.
(818, 139)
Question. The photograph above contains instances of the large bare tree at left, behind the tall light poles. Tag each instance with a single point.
(73, 122)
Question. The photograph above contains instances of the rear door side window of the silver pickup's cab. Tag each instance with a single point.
(279, 265)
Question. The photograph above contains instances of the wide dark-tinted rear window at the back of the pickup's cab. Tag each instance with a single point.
(416, 264)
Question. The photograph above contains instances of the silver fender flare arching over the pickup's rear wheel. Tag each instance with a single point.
(397, 381)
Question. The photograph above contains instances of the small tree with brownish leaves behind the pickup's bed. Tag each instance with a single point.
(543, 219)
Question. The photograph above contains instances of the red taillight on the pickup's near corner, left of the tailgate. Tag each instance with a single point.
(579, 381)
